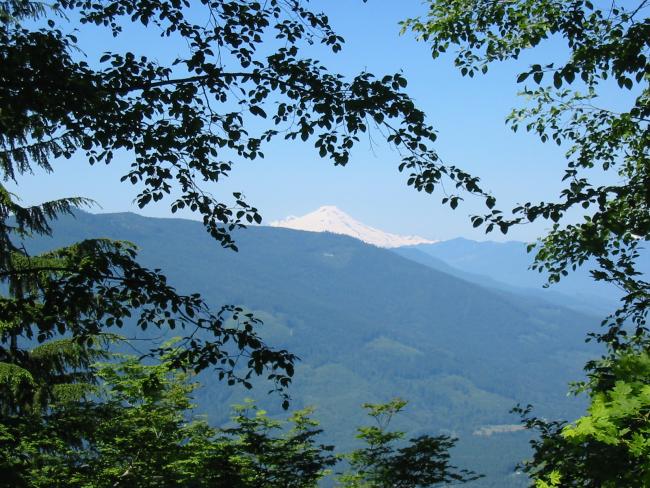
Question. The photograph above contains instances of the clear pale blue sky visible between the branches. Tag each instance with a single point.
(292, 180)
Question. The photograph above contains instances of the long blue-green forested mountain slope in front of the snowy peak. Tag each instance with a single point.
(369, 325)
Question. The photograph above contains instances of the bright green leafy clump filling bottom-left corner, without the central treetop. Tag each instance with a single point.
(139, 430)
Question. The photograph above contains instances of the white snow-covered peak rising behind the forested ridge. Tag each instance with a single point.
(331, 219)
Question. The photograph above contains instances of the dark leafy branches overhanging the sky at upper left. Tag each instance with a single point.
(184, 122)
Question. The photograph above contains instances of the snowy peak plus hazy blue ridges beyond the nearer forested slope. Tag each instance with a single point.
(495, 265)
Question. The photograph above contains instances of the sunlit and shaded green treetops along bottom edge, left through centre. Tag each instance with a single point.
(137, 429)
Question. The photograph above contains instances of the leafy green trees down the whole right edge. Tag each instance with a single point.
(607, 44)
